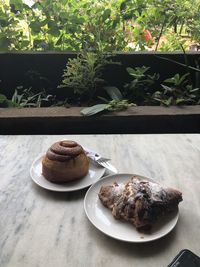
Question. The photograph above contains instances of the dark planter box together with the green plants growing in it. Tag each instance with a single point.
(153, 92)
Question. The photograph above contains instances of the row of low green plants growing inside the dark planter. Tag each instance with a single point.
(83, 79)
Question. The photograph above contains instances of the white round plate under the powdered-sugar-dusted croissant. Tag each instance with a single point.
(102, 218)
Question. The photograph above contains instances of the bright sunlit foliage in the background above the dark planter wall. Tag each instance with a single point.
(104, 25)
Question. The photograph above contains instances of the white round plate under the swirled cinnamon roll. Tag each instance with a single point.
(95, 173)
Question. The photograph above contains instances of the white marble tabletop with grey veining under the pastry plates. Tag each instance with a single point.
(39, 228)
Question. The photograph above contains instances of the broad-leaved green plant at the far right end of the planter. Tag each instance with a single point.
(178, 91)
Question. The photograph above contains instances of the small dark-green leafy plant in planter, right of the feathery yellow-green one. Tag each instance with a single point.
(140, 88)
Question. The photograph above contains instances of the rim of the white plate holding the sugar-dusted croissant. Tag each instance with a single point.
(176, 216)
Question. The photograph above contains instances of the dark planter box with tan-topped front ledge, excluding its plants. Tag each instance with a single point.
(58, 120)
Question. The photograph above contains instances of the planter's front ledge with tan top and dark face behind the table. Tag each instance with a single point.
(59, 120)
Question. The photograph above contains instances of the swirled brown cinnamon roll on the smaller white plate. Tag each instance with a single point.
(65, 161)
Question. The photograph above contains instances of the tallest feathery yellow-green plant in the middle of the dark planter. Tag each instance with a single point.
(83, 76)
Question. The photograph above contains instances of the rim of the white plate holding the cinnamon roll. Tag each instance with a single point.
(54, 189)
